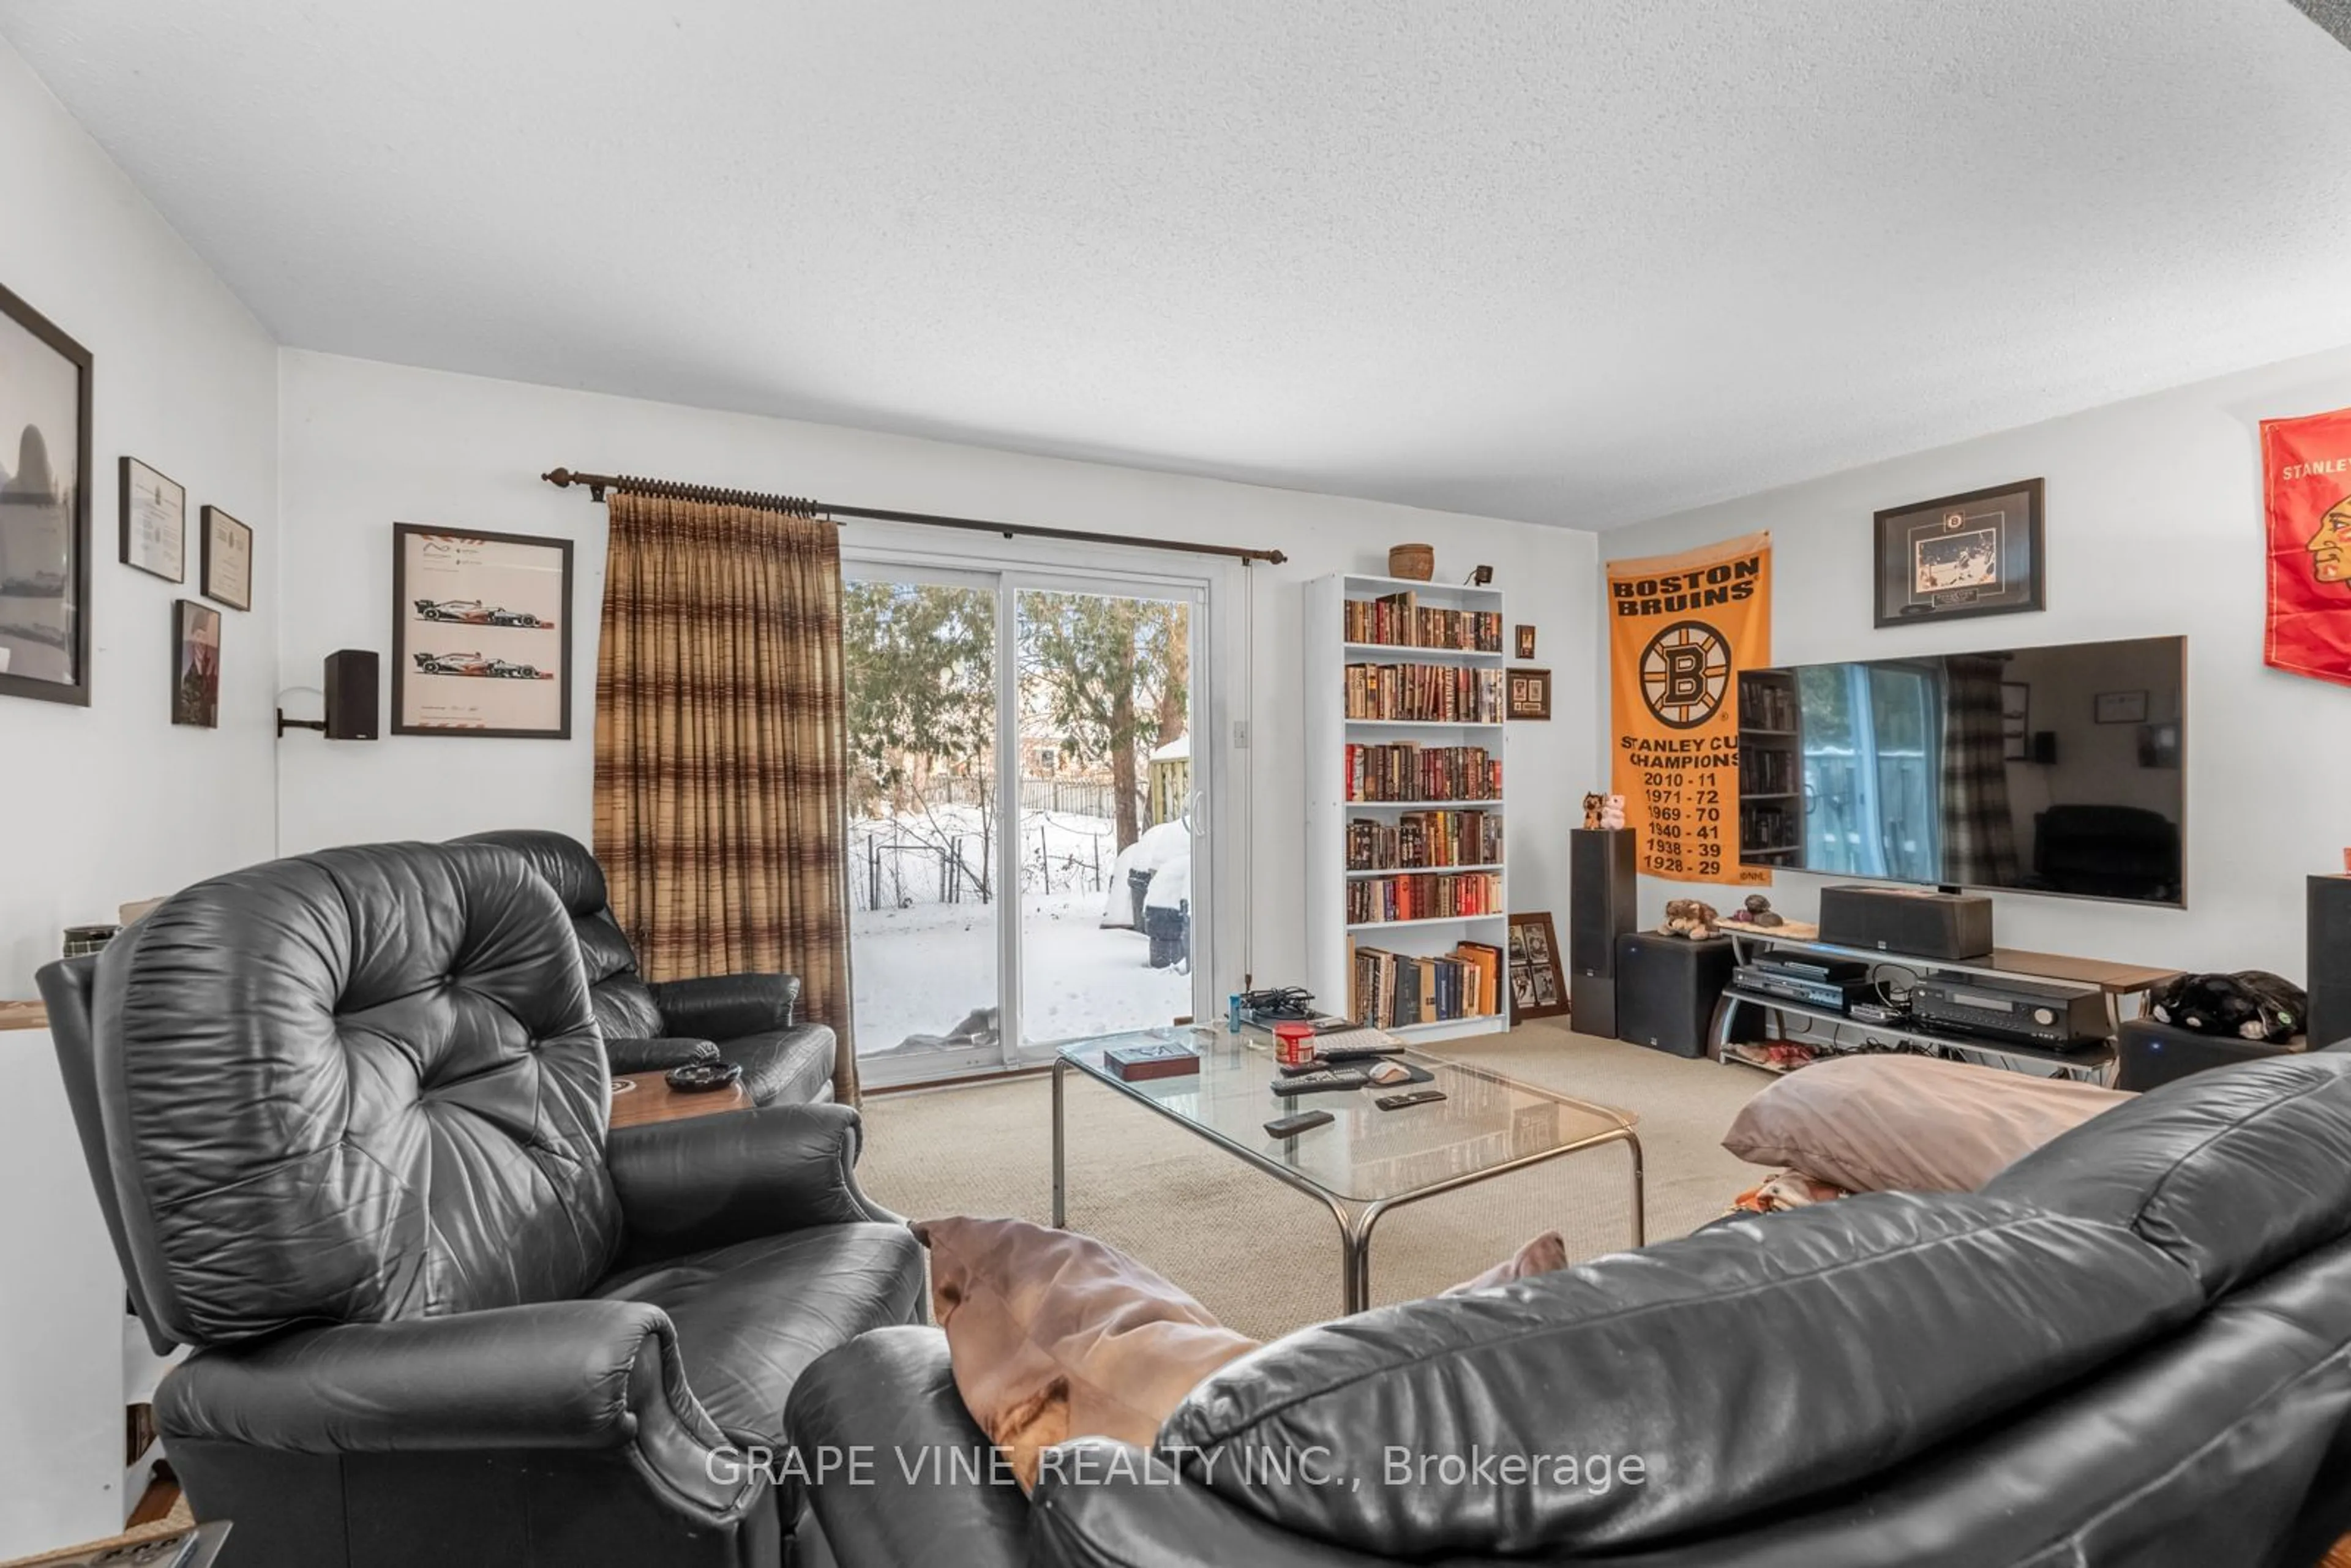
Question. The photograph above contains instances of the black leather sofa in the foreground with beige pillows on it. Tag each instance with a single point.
(2131, 1351)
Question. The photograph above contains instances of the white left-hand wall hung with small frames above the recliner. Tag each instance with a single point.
(114, 803)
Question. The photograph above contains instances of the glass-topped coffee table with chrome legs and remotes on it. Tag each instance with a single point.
(1367, 1160)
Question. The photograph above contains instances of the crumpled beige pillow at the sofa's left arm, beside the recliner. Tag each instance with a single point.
(1057, 1336)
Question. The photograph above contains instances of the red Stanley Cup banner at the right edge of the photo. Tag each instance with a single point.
(2308, 478)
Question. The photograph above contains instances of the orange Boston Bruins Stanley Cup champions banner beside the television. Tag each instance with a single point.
(1680, 634)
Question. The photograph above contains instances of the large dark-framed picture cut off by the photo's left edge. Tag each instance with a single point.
(43, 509)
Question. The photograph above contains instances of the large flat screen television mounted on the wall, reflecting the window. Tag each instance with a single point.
(2039, 770)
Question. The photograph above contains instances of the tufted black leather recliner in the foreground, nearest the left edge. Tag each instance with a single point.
(347, 1118)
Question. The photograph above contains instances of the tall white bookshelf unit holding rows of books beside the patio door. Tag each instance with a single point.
(1327, 735)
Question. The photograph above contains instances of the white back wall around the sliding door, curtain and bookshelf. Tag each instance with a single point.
(368, 445)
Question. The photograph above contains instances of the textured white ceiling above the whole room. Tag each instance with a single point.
(1562, 262)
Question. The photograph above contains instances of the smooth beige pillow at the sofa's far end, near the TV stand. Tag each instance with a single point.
(1908, 1123)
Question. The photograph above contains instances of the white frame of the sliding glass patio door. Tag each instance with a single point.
(878, 556)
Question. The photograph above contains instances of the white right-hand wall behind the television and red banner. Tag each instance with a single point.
(2155, 528)
